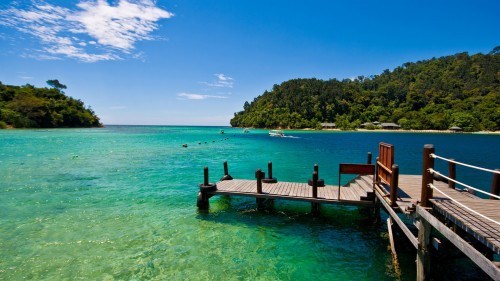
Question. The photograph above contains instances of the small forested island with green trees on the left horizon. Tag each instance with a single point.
(30, 107)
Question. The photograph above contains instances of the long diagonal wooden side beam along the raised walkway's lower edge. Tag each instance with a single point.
(485, 264)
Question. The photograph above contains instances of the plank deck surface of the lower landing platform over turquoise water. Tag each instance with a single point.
(328, 194)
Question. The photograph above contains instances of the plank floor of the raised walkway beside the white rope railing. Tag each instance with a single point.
(482, 229)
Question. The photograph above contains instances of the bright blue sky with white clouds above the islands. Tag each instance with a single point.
(194, 62)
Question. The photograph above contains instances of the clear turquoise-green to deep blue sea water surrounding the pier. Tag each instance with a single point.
(119, 203)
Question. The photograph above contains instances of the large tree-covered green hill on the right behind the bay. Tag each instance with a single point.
(459, 90)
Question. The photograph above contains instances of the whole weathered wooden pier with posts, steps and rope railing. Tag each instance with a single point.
(430, 200)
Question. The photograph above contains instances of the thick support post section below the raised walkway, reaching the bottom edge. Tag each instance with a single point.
(423, 255)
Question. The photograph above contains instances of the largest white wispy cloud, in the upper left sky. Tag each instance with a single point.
(92, 31)
